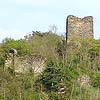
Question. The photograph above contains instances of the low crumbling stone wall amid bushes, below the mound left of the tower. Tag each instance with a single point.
(23, 64)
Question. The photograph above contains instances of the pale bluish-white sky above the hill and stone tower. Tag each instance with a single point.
(19, 17)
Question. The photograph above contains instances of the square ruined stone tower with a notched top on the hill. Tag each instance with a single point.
(79, 27)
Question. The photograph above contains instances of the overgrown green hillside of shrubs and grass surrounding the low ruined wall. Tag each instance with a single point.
(72, 70)
